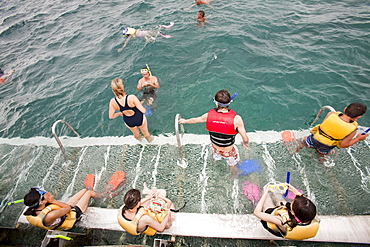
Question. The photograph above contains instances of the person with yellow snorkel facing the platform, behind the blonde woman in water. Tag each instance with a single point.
(149, 83)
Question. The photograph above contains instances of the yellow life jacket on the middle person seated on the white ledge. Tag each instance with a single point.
(131, 225)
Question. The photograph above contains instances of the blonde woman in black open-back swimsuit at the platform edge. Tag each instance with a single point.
(131, 109)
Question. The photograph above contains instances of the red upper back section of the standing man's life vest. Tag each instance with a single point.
(221, 122)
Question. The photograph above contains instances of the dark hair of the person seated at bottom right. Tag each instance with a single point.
(303, 209)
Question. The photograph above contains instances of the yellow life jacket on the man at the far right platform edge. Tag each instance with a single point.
(333, 130)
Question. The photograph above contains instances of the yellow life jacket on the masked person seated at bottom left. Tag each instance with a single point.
(38, 220)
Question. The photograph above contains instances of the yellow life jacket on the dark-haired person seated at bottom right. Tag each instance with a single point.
(298, 232)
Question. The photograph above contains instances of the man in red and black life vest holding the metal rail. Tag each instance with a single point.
(223, 124)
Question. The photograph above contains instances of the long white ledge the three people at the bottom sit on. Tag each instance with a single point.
(346, 229)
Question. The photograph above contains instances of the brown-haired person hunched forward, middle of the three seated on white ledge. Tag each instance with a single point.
(137, 217)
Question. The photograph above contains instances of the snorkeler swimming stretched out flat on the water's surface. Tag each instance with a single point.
(149, 35)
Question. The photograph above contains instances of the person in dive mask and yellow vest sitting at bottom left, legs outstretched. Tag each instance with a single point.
(45, 212)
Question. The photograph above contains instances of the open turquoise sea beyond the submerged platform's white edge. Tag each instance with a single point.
(285, 60)
